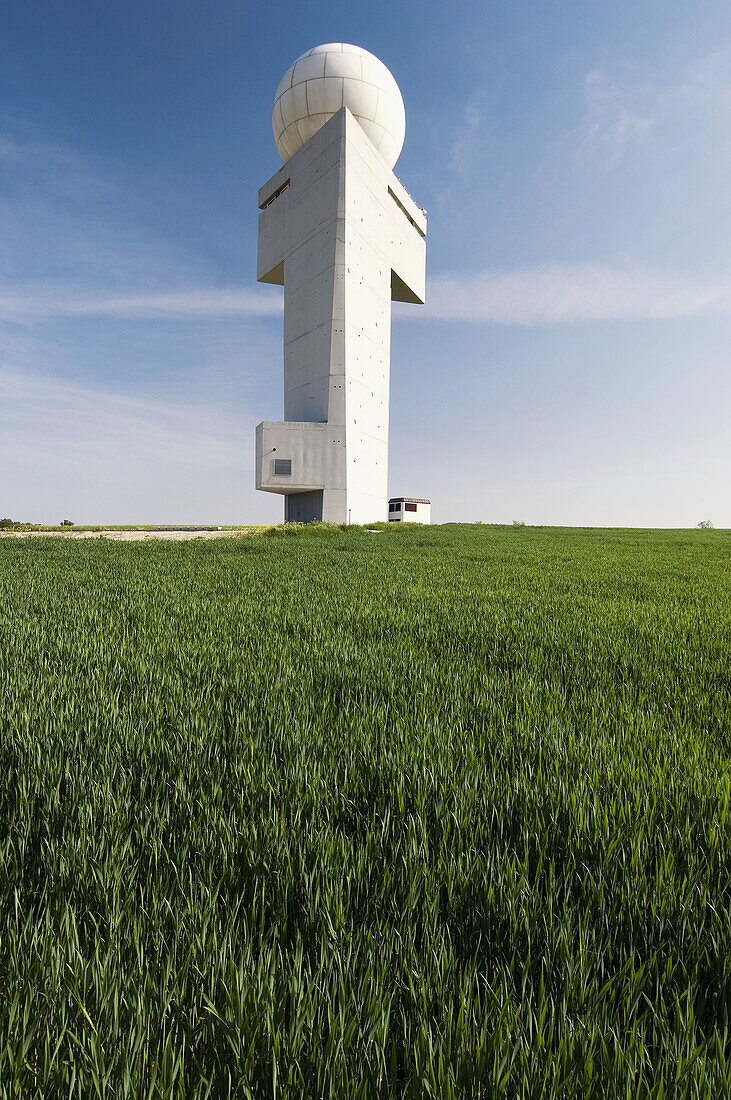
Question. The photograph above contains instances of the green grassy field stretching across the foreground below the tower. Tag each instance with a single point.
(435, 812)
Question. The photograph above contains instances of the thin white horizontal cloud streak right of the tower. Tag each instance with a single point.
(573, 293)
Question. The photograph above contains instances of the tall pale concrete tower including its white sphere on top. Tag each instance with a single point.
(346, 238)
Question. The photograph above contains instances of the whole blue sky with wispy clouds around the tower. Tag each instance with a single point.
(572, 365)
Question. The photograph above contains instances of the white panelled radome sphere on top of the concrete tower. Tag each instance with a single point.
(337, 75)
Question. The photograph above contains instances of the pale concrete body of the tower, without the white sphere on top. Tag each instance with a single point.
(345, 237)
